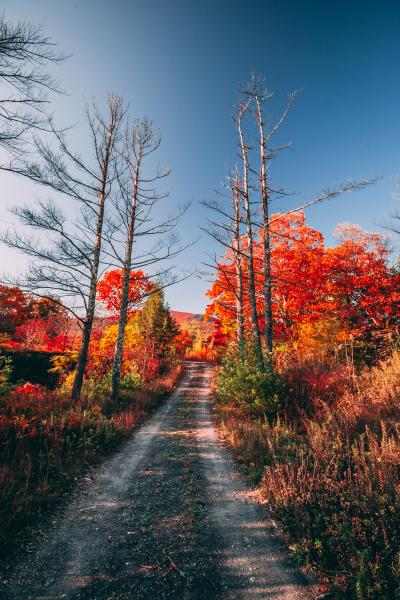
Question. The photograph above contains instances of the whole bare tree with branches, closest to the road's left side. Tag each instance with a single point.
(135, 202)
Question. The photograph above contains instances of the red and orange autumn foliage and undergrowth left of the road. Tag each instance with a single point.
(46, 439)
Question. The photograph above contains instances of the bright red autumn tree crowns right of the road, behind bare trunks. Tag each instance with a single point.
(320, 295)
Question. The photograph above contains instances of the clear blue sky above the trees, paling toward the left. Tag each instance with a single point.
(180, 62)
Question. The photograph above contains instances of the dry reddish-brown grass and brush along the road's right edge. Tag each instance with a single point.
(329, 467)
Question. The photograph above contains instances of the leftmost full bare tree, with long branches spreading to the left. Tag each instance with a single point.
(70, 264)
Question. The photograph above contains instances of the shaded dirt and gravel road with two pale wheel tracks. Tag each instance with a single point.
(167, 516)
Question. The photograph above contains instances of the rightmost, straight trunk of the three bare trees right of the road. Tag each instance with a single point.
(266, 233)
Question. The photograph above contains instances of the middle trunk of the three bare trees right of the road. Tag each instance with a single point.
(249, 233)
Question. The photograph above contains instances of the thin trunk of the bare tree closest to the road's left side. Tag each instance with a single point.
(123, 315)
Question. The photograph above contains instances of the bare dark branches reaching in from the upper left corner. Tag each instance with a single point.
(25, 54)
